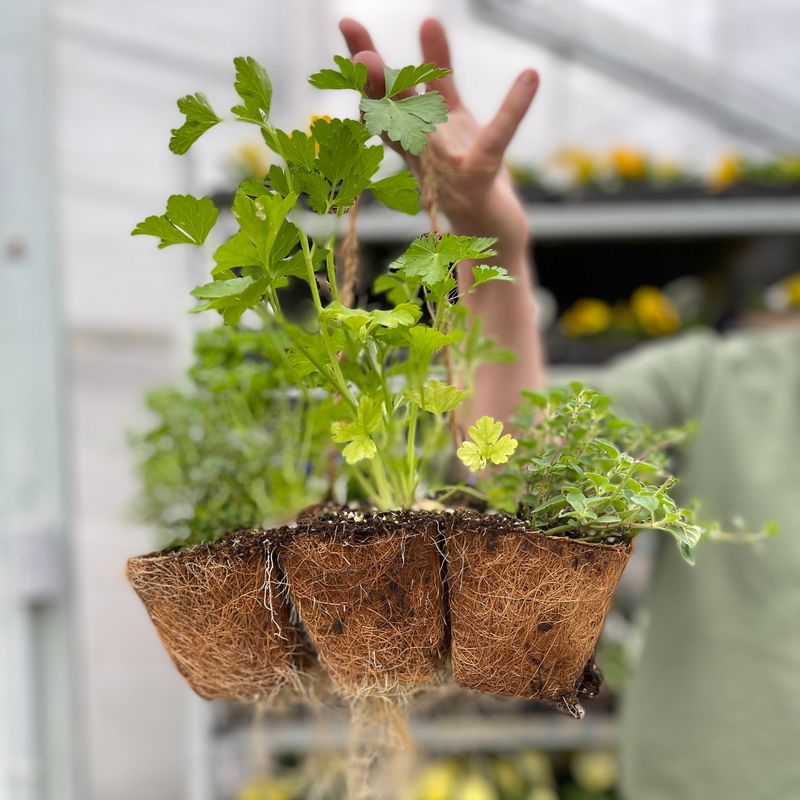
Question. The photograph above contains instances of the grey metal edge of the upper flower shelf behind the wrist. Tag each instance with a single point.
(613, 220)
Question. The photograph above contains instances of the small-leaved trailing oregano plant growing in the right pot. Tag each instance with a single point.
(580, 470)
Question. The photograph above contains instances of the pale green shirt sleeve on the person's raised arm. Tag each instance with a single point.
(660, 384)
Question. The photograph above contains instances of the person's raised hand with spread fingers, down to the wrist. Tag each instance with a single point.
(474, 189)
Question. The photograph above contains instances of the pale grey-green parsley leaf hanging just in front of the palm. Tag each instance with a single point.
(407, 121)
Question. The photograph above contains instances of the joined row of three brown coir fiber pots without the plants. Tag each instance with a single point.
(381, 600)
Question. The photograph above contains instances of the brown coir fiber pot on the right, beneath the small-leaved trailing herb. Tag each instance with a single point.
(526, 609)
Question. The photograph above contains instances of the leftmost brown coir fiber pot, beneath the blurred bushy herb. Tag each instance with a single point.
(222, 613)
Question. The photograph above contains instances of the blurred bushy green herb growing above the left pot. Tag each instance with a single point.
(231, 449)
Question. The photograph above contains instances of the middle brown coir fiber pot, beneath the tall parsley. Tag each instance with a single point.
(369, 591)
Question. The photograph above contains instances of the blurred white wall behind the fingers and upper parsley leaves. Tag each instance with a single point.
(121, 65)
